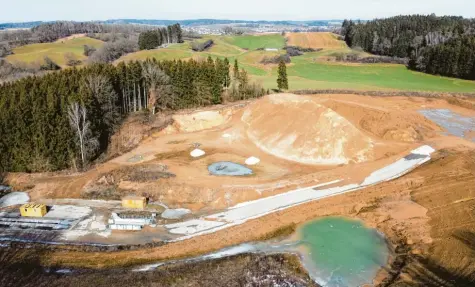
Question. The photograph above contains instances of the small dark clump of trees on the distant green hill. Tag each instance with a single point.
(155, 38)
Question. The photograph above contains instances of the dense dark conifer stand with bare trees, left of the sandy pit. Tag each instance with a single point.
(65, 119)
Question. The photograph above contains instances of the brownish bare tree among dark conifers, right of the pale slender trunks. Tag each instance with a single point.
(160, 93)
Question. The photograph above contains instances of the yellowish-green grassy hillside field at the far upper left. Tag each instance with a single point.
(56, 51)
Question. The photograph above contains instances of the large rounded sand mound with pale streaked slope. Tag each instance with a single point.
(299, 129)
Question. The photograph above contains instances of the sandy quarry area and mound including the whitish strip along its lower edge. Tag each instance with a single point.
(298, 149)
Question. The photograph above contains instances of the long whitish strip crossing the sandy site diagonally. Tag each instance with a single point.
(257, 208)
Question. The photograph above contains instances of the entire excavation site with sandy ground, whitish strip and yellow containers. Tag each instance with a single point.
(233, 173)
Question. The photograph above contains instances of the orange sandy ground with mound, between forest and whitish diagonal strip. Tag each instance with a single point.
(379, 131)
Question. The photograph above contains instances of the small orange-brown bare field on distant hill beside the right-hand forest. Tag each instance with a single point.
(315, 40)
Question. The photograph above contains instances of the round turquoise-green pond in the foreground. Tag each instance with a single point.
(342, 252)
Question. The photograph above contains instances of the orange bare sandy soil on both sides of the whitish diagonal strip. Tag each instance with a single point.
(415, 208)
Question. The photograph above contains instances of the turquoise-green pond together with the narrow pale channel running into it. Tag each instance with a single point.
(334, 250)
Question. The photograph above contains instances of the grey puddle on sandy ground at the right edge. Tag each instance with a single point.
(455, 124)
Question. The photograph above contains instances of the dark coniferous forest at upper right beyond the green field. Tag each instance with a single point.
(435, 45)
